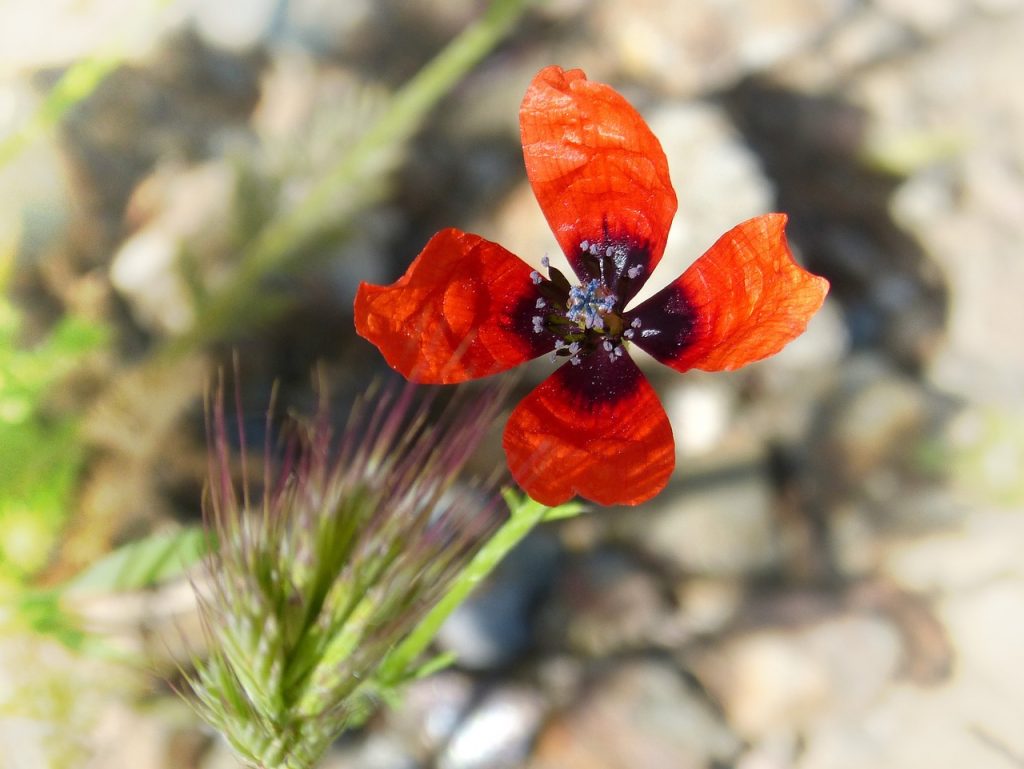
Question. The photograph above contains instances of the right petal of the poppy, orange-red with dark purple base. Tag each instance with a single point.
(742, 302)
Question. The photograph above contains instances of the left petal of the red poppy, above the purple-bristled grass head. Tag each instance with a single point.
(462, 311)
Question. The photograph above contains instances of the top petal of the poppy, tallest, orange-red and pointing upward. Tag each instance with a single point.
(600, 175)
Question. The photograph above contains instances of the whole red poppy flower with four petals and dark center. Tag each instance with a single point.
(468, 309)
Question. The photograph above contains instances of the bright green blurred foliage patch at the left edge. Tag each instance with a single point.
(40, 455)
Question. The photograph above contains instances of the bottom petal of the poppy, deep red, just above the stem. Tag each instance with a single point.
(598, 431)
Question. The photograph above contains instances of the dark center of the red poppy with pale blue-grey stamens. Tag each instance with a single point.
(583, 319)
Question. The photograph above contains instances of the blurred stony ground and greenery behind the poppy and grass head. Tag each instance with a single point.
(834, 578)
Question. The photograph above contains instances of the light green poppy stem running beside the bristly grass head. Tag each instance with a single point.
(524, 518)
